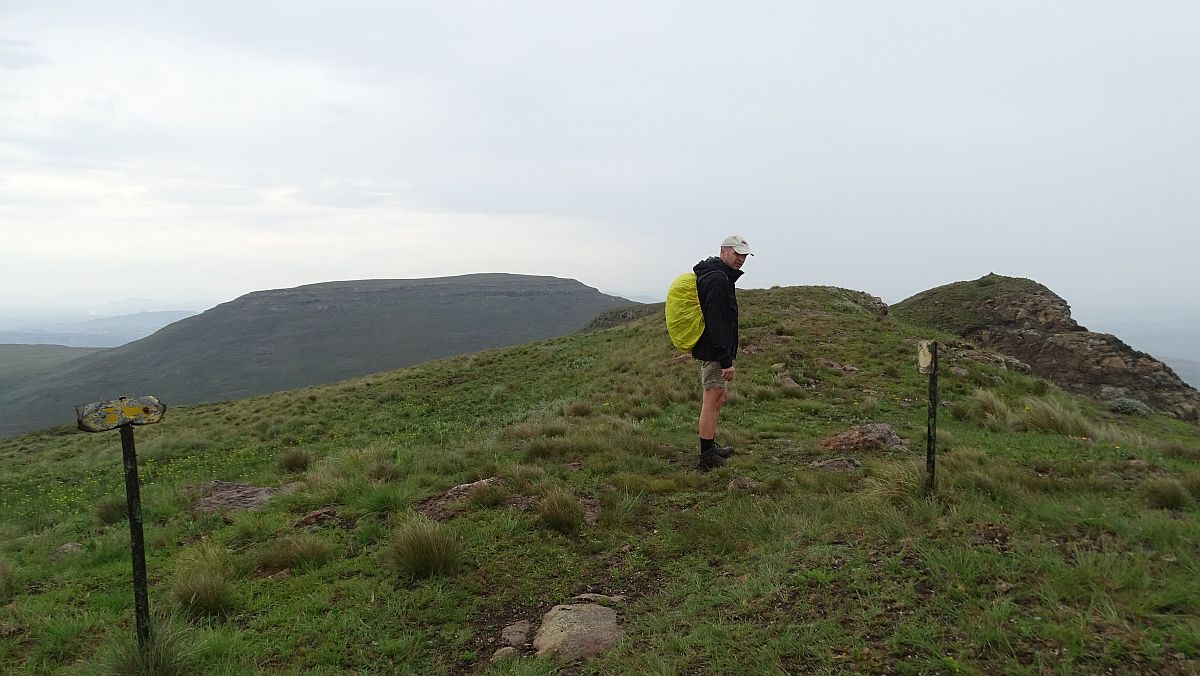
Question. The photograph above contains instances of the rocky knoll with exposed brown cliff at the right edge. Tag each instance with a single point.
(1025, 320)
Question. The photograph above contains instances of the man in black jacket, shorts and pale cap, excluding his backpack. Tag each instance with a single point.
(718, 346)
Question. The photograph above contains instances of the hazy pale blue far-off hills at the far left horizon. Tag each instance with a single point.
(103, 332)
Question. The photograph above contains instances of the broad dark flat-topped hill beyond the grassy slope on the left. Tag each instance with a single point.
(277, 340)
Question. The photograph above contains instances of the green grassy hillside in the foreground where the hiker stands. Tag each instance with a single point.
(1061, 539)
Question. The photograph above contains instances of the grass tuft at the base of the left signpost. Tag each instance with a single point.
(170, 651)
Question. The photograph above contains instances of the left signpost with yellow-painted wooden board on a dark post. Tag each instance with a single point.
(122, 415)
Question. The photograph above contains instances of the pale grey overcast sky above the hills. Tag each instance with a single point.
(196, 152)
